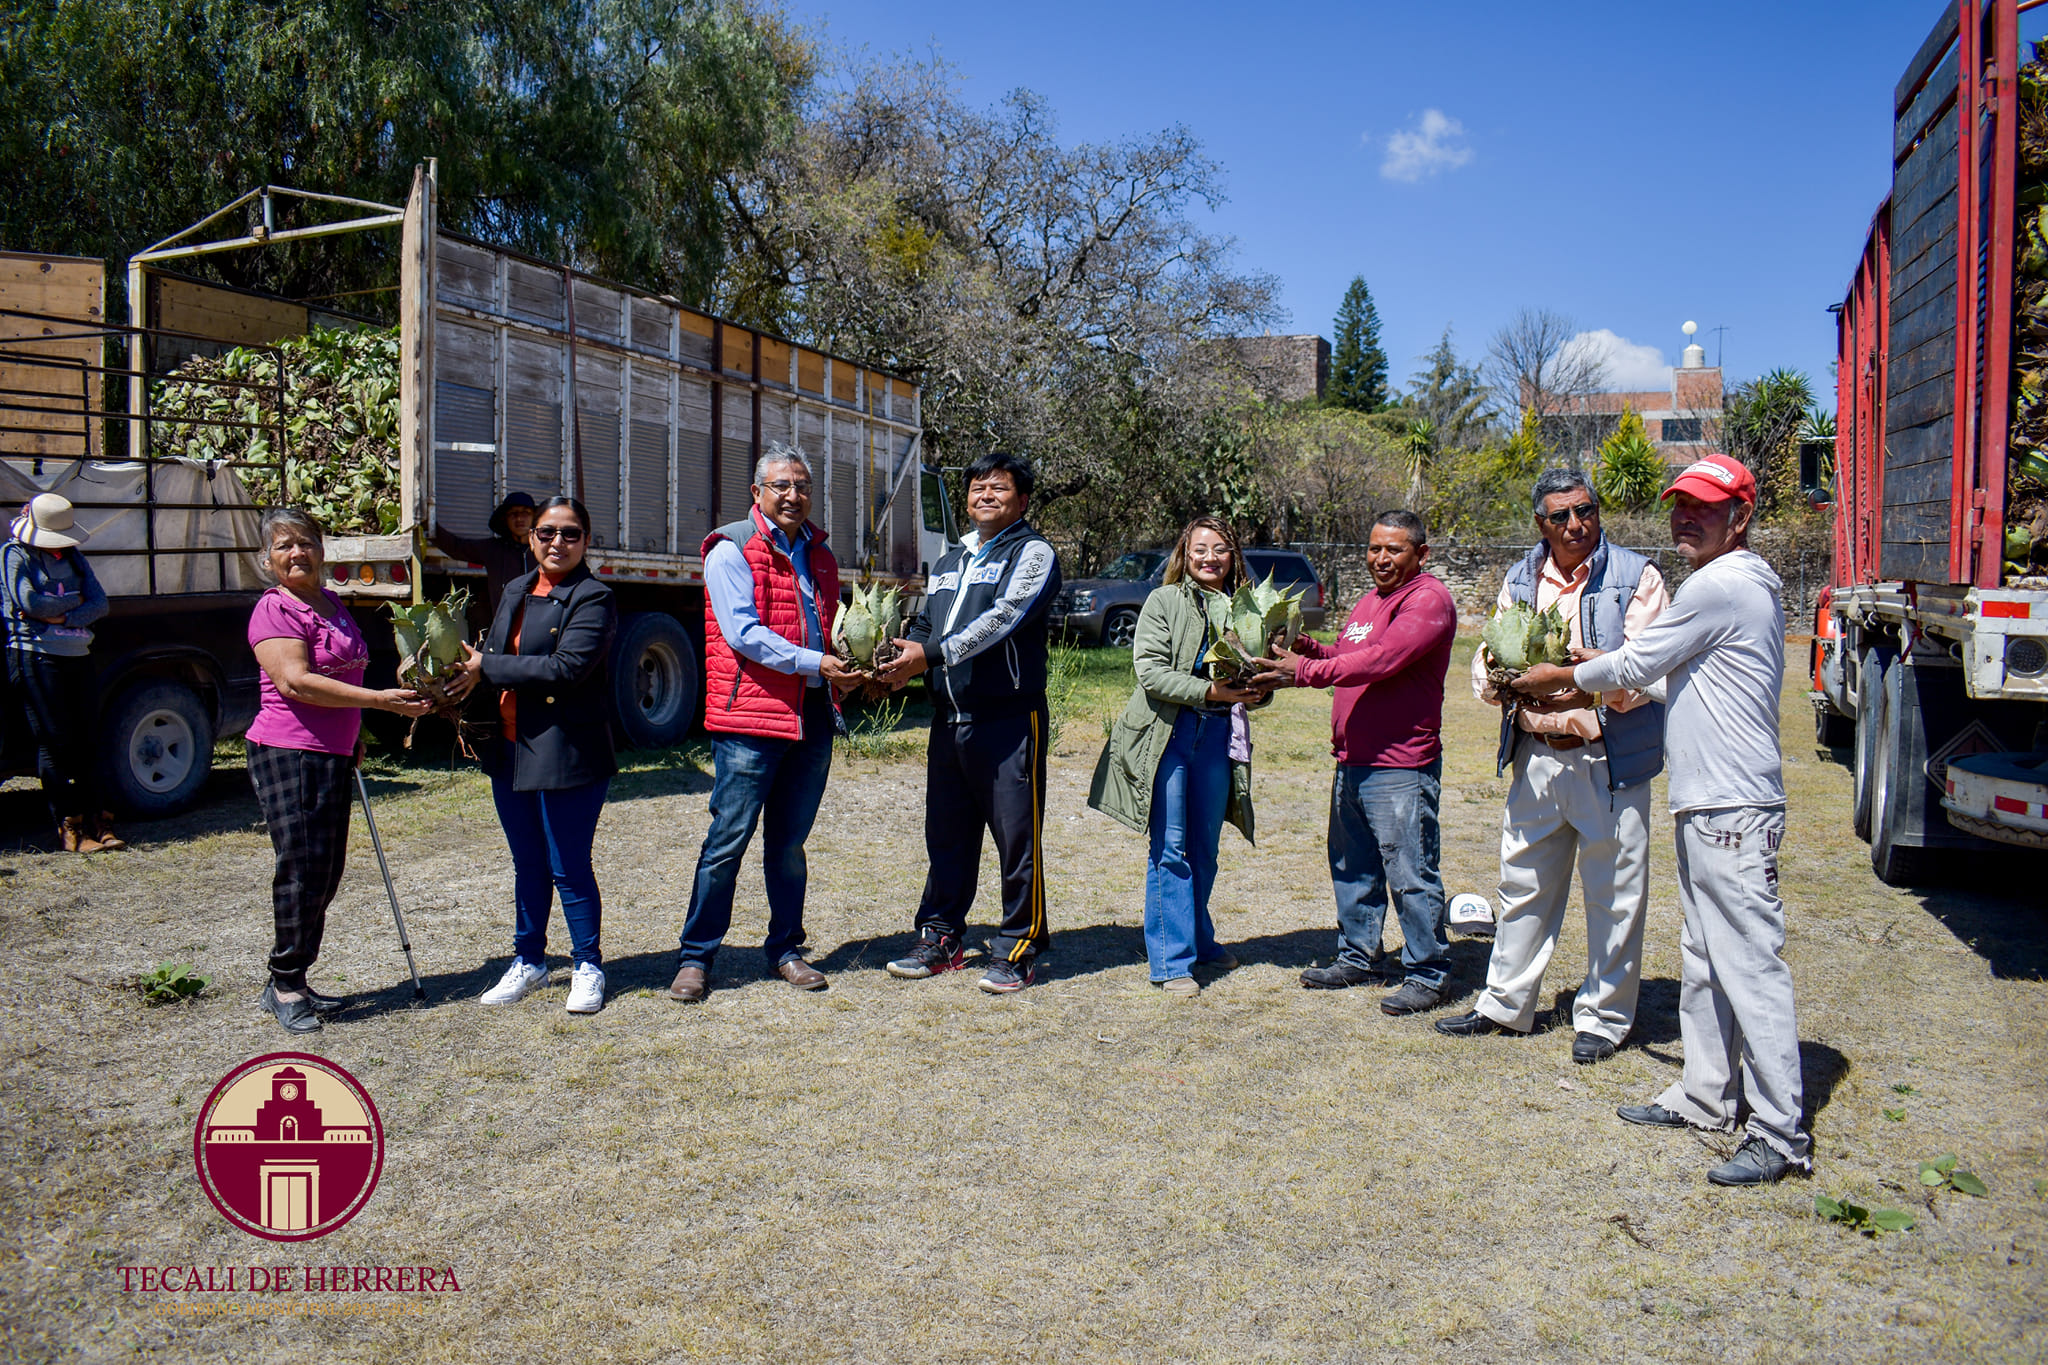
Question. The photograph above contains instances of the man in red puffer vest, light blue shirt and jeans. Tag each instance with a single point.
(771, 592)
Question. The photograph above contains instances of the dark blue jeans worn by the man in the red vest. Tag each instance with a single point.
(775, 783)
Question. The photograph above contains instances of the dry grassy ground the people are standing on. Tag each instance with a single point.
(914, 1172)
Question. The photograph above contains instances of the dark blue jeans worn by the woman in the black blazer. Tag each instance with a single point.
(552, 836)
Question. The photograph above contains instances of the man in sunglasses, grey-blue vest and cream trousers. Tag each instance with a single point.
(1582, 785)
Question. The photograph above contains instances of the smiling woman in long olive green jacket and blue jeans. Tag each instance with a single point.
(1179, 762)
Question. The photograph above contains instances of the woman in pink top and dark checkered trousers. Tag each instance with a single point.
(304, 750)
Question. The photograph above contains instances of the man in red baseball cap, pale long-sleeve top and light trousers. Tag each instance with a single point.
(1721, 650)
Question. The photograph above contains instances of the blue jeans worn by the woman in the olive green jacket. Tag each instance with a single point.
(1191, 793)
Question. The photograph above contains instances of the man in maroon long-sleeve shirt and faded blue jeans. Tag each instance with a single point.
(1388, 734)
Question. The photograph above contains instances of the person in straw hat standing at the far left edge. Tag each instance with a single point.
(48, 605)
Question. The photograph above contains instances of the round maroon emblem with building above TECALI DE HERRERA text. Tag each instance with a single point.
(288, 1147)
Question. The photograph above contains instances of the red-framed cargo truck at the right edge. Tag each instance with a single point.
(1932, 646)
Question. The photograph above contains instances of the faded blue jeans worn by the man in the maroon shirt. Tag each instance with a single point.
(1383, 844)
